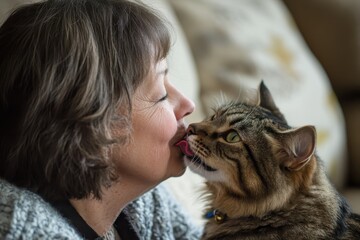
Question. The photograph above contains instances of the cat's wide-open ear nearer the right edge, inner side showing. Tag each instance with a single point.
(298, 147)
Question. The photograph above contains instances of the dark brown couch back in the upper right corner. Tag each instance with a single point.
(332, 29)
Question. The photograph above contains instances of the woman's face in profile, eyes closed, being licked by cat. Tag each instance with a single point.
(158, 123)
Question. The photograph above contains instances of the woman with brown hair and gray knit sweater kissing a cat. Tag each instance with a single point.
(89, 120)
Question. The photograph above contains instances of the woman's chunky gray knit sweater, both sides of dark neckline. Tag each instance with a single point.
(155, 215)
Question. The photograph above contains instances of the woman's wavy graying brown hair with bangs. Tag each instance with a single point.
(68, 70)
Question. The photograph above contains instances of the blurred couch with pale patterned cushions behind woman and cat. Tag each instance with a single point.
(223, 49)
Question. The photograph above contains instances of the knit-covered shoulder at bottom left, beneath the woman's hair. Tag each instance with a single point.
(25, 215)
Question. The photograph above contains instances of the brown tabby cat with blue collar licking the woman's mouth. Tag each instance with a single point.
(264, 179)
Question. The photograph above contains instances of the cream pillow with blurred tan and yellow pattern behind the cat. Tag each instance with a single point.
(238, 43)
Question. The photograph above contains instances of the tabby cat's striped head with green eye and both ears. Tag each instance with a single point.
(250, 150)
